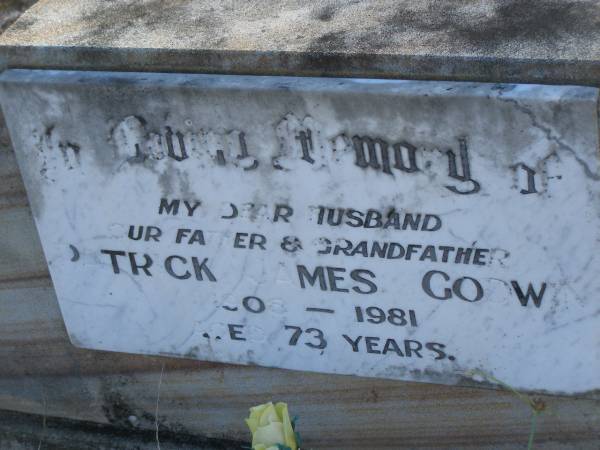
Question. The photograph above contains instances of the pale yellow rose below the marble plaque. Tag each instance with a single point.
(271, 425)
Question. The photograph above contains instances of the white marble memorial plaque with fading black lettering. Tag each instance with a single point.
(428, 231)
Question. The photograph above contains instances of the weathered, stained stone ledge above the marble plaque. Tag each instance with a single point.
(545, 41)
